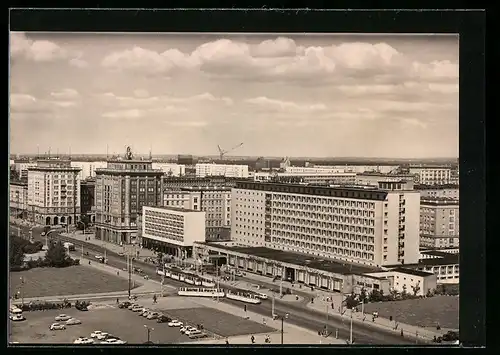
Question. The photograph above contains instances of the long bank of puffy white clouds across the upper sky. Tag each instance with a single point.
(283, 59)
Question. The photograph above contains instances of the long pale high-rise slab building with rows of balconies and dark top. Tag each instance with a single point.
(374, 227)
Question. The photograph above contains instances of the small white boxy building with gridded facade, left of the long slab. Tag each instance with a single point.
(172, 230)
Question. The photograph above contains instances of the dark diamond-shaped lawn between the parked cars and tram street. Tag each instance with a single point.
(217, 322)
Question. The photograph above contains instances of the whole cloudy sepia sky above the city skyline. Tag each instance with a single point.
(282, 95)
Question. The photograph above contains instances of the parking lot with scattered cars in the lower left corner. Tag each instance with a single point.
(125, 324)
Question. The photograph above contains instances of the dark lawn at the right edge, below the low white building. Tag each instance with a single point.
(426, 312)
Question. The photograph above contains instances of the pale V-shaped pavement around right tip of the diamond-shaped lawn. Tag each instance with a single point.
(292, 334)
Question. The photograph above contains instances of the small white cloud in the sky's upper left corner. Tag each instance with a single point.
(40, 50)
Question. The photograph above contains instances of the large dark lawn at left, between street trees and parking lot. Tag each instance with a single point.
(73, 280)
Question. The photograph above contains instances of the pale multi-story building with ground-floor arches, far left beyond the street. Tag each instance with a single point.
(54, 192)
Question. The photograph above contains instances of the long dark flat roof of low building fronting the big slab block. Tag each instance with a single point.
(300, 259)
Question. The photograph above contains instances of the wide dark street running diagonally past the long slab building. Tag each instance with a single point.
(298, 313)
